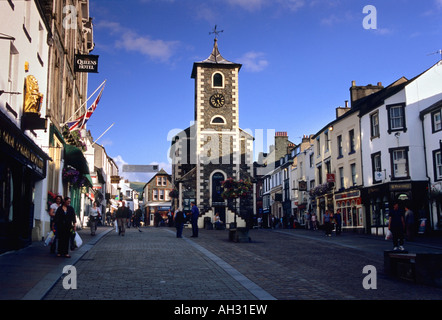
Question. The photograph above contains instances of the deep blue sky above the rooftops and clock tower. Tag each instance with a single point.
(299, 58)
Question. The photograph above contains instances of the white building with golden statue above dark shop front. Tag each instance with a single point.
(24, 51)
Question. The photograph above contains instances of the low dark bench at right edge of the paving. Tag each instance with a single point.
(420, 268)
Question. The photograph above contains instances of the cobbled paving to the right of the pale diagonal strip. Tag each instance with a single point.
(293, 264)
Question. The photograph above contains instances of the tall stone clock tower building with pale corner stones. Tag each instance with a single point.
(214, 148)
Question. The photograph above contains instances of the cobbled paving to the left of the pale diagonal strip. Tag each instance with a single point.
(150, 265)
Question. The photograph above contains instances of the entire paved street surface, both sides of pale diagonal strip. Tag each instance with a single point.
(277, 264)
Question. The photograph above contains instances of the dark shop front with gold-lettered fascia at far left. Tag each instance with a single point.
(22, 166)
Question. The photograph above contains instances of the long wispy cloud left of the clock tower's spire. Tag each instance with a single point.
(131, 41)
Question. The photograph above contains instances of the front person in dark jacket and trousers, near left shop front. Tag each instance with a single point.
(65, 221)
